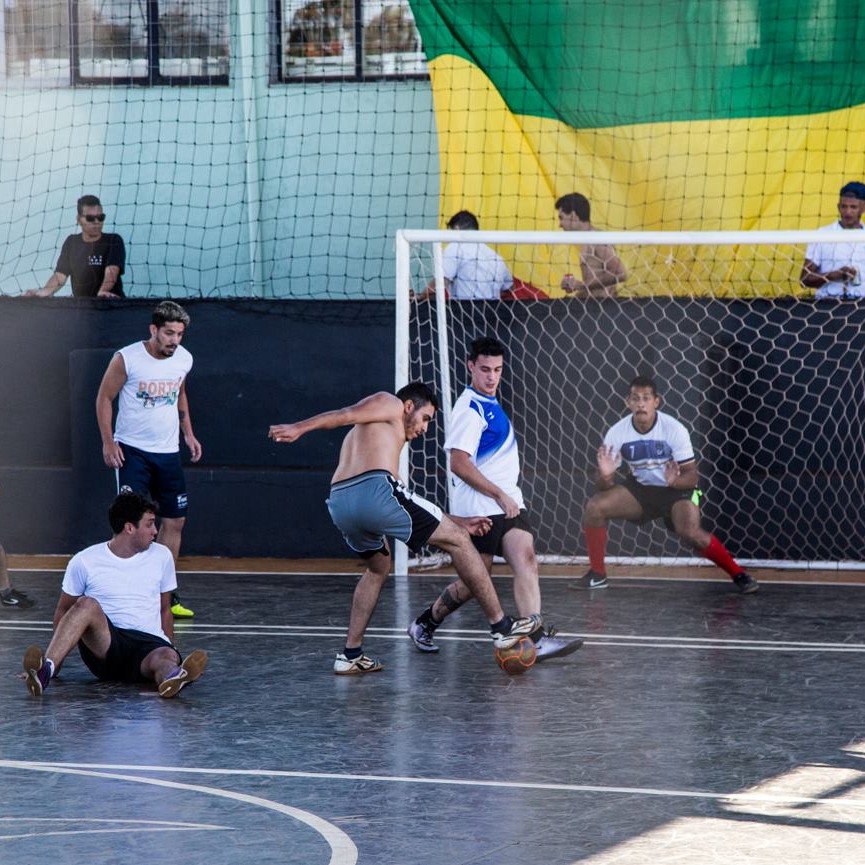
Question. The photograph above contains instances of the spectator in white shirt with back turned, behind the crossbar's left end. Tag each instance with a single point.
(472, 271)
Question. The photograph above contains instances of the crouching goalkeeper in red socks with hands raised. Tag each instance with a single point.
(661, 484)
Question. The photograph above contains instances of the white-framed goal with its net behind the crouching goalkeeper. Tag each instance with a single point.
(769, 381)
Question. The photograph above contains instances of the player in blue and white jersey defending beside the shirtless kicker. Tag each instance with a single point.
(485, 465)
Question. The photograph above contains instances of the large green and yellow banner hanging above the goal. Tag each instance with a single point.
(667, 114)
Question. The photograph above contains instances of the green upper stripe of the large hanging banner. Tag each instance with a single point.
(603, 63)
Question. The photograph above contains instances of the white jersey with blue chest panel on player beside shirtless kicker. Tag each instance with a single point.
(480, 427)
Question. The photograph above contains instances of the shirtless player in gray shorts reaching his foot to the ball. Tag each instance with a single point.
(368, 502)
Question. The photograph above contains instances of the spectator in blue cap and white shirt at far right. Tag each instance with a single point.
(836, 269)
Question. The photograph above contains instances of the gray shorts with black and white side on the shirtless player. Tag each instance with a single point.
(370, 507)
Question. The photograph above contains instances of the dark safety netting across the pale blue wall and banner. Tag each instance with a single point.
(272, 148)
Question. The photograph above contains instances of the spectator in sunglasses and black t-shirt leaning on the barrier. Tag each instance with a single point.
(95, 260)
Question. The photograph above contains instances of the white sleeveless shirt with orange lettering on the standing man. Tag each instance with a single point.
(147, 415)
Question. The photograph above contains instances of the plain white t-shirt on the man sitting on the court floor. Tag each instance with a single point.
(128, 590)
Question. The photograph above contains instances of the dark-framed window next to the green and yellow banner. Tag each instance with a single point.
(354, 39)
